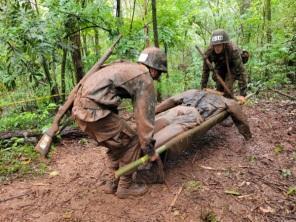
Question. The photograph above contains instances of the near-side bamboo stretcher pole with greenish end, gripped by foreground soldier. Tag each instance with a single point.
(197, 131)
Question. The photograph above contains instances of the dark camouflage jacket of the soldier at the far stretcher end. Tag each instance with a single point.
(236, 68)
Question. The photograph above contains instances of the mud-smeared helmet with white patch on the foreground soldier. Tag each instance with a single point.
(154, 58)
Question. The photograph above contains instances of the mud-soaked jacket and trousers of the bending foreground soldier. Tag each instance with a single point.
(95, 111)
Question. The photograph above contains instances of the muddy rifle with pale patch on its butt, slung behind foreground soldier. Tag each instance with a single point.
(43, 146)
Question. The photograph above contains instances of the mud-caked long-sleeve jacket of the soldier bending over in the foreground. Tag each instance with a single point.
(102, 93)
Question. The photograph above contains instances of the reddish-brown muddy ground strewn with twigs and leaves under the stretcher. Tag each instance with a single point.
(220, 178)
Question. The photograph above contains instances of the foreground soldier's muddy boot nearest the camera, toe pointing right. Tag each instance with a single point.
(127, 189)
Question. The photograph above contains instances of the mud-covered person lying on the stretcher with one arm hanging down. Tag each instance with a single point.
(185, 111)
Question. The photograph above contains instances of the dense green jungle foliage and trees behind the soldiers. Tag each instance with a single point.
(47, 45)
